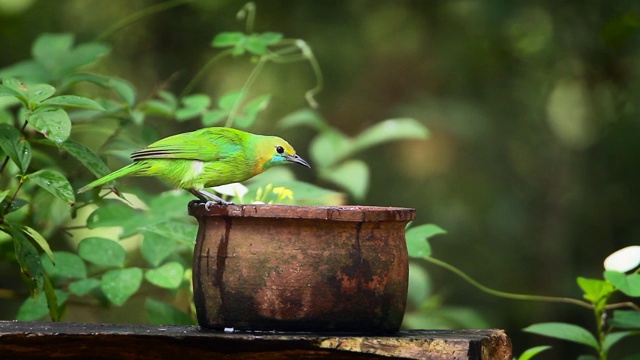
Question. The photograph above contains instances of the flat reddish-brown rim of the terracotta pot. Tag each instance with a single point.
(357, 213)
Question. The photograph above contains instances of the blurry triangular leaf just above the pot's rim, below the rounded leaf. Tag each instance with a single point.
(352, 175)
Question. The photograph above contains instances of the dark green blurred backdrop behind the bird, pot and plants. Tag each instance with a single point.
(533, 160)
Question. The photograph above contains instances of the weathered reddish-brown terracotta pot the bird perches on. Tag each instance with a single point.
(292, 268)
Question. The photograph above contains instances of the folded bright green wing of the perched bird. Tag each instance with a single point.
(210, 144)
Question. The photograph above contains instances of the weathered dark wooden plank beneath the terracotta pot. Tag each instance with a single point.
(44, 340)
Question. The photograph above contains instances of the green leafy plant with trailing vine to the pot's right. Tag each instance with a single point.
(596, 292)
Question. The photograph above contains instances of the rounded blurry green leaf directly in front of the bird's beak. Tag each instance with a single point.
(329, 147)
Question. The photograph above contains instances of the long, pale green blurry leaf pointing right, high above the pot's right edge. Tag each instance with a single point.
(390, 130)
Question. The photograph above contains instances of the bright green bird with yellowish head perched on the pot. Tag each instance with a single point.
(207, 157)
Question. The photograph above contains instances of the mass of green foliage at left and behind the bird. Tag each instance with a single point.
(130, 244)
